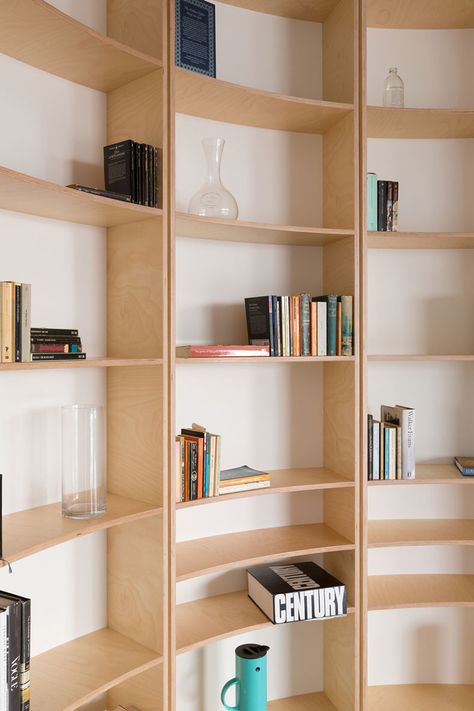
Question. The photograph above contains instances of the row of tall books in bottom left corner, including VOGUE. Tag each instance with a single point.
(15, 652)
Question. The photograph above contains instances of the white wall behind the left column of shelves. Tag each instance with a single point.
(55, 130)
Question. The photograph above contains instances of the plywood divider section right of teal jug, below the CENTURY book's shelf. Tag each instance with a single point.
(339, 667)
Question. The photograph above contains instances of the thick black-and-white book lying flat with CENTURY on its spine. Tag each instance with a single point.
(296, 592)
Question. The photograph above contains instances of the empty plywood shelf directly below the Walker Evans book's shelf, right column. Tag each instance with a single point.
(421, 532)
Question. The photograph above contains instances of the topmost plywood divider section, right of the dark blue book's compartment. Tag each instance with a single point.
(339, 43)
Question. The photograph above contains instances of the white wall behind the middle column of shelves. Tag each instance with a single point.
(275, 177)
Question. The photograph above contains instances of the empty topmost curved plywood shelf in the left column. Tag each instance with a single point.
(35, 32)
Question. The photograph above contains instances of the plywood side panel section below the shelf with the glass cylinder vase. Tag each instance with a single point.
(135, 573)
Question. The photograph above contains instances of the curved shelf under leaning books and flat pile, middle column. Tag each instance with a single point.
(284, 481)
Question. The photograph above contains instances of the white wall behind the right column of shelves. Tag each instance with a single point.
(422, 302)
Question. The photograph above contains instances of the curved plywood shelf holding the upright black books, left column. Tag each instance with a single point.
(33, 196)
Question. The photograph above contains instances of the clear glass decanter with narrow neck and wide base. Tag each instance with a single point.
(213, 200)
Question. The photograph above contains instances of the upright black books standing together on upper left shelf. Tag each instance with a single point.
(133, 169)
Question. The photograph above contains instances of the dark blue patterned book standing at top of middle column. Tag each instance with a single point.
(196, 36)
